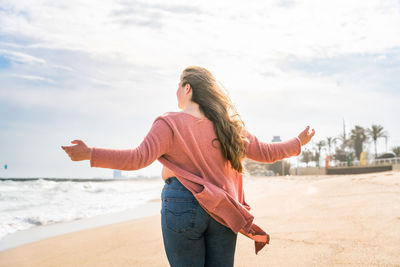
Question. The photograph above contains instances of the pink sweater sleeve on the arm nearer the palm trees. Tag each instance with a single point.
(271, 152)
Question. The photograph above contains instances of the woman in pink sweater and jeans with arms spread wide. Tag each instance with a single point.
(201, 149)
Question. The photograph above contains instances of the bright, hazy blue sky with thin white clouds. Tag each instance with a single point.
(103, 71)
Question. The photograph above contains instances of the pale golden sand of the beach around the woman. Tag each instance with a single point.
(336, 220)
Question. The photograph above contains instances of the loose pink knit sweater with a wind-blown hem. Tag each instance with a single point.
(184, 144)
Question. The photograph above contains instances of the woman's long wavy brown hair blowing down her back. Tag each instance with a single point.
(216, 105)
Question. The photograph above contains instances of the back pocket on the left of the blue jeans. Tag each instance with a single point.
(180, 213)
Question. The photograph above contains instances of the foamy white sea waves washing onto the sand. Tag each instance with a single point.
(32, 202)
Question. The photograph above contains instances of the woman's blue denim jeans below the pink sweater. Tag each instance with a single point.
(191, 236)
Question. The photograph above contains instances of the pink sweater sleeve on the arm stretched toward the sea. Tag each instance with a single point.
(157, 142)
